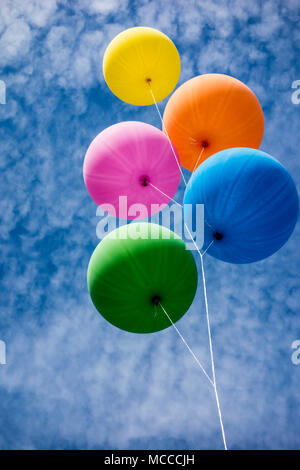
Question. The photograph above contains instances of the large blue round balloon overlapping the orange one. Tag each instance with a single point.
(250, 204)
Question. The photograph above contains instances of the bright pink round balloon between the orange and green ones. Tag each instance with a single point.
(123, 161)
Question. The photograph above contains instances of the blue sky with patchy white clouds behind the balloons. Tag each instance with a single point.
(71, 379)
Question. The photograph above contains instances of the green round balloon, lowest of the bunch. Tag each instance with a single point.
(136, 268)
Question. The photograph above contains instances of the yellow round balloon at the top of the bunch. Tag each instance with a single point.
(139, 57)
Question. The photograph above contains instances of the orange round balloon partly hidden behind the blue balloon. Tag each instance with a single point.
(210, 113)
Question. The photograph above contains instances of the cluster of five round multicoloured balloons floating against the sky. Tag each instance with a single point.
(212, 125)
